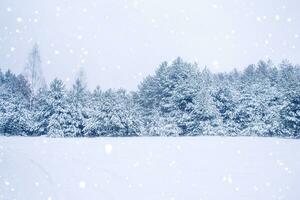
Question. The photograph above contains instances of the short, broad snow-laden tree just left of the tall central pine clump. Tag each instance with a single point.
(114, 116)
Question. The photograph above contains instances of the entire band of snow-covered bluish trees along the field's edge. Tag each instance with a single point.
(178, 100)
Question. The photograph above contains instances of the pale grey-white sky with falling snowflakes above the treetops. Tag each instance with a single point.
(119, 42)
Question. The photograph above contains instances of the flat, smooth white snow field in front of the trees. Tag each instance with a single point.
(149, 168)
